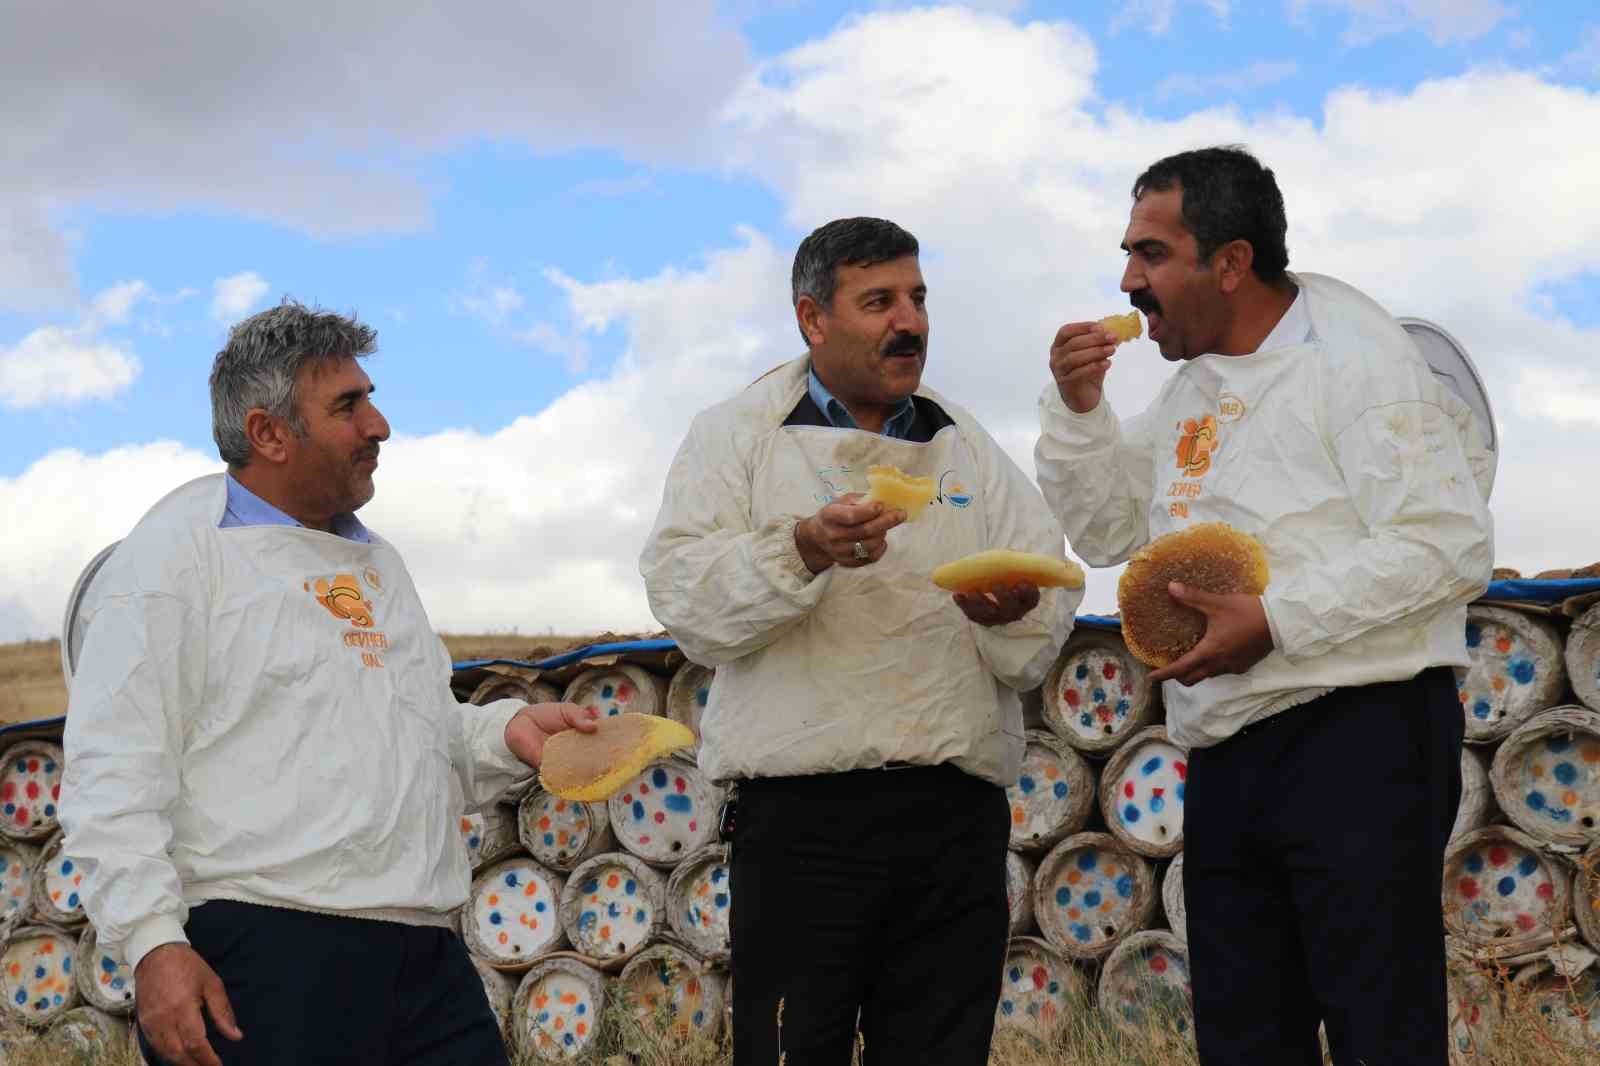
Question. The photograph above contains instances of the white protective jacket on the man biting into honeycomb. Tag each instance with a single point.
(1364, 478)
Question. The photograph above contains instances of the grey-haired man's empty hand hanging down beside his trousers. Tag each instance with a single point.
(174, 985)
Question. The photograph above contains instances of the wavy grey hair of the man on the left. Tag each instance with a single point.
(260, 363)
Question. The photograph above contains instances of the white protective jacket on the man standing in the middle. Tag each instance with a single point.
(855, 667)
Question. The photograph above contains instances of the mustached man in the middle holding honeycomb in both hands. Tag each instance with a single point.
(868, 721)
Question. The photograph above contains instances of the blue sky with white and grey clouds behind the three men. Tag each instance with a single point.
(612, 206)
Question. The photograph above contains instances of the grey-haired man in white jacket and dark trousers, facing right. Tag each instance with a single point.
(265, 761)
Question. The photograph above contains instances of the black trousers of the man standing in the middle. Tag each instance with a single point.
(879, 892)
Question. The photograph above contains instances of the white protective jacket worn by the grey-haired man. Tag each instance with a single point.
(265, 715)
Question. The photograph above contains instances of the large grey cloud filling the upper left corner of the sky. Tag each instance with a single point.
(158, 121)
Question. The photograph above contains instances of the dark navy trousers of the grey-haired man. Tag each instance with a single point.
(314, 990)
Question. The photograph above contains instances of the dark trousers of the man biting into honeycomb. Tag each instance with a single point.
(1313, 864)
